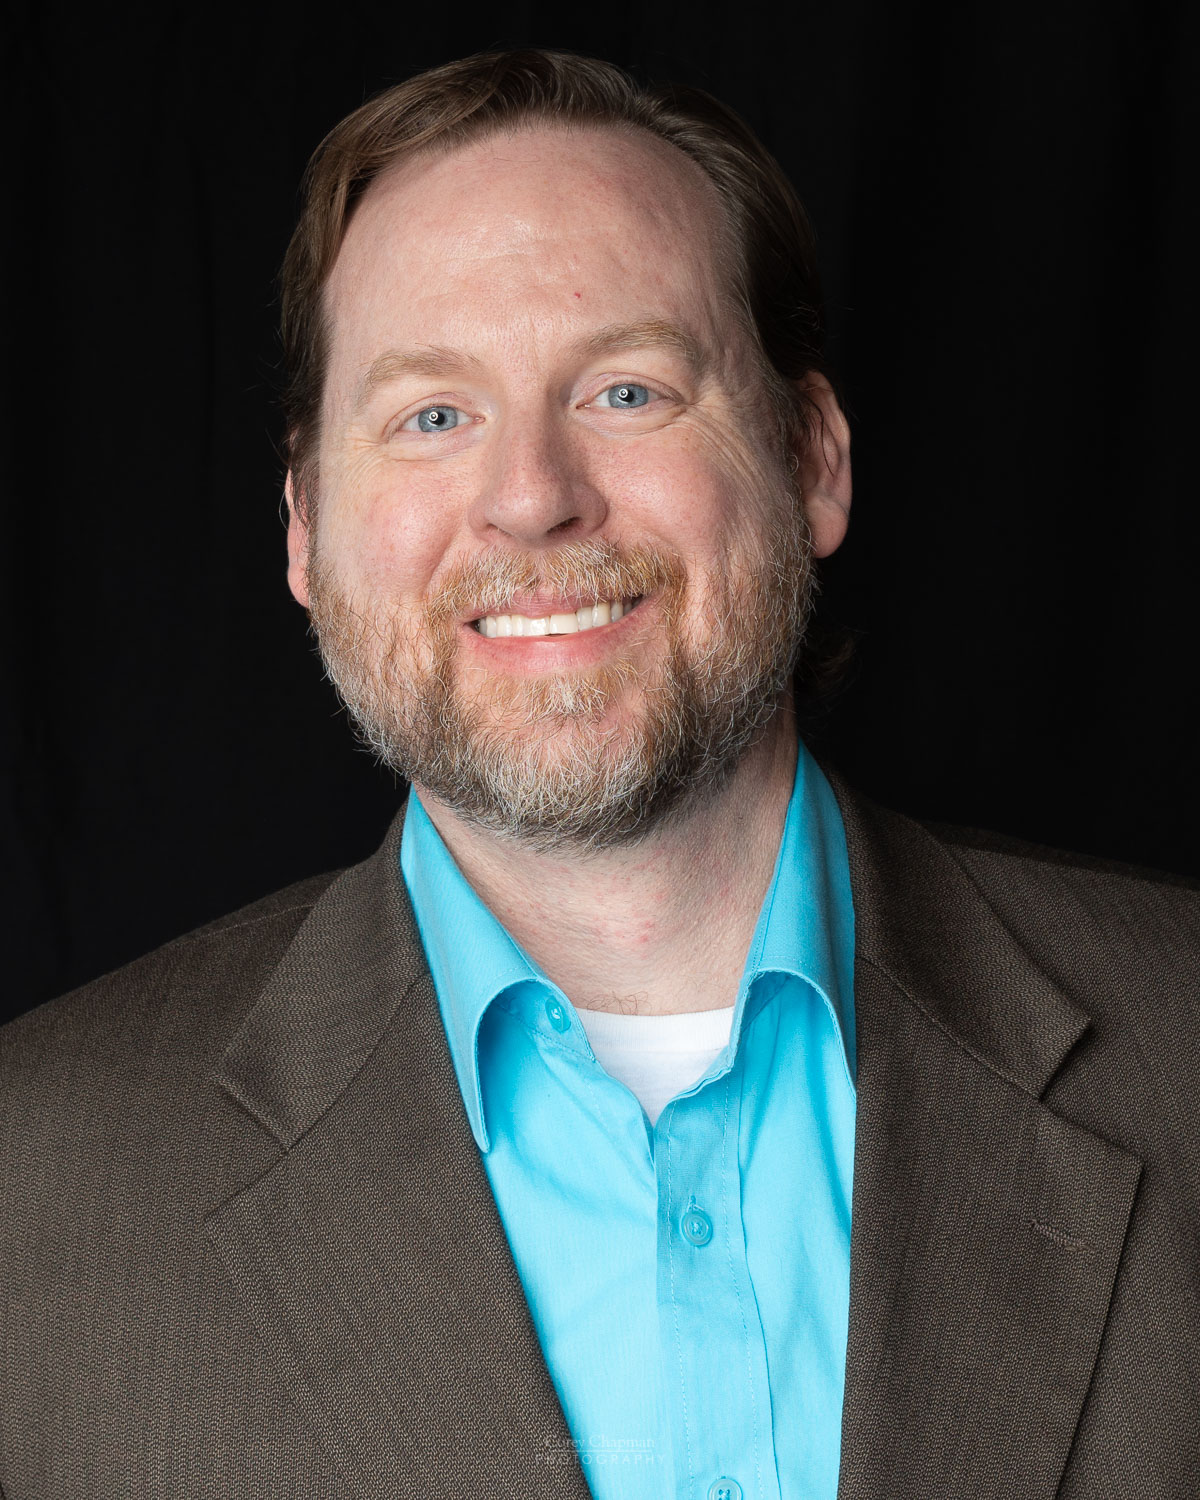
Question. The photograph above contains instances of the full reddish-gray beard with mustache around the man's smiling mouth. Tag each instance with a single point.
(590, 758)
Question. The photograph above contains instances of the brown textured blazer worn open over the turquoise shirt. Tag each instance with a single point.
(250, 1250)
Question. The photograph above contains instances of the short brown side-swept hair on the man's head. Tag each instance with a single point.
(775, 278)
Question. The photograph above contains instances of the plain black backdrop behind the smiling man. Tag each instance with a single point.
(1004, 199)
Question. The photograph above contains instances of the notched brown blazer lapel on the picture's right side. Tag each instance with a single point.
(986, 1231)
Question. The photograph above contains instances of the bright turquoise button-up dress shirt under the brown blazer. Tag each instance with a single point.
(689, 1282)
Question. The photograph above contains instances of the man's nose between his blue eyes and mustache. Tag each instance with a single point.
(536, 490)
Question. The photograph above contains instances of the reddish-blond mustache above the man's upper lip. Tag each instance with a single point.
(596, 568)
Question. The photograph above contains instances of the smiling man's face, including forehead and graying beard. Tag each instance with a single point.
(557, 569)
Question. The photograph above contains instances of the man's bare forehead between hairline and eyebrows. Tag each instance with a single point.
(530, 235)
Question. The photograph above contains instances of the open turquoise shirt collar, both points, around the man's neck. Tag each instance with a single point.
(805, 929)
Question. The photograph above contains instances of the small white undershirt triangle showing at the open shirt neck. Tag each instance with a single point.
(656, 1057)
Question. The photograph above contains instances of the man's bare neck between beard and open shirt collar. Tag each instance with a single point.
(658, 929)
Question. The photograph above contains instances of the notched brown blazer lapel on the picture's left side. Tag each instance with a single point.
(371, 1258)
